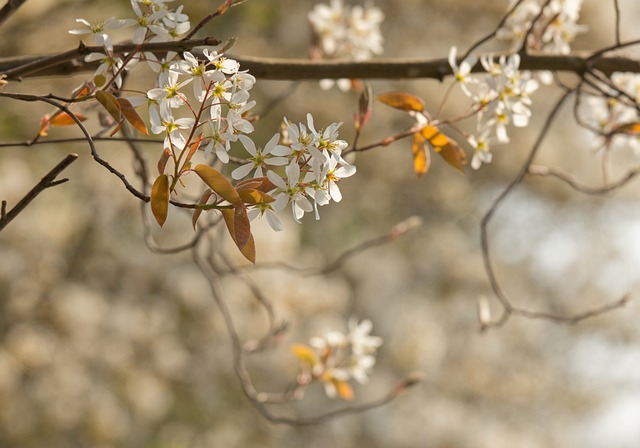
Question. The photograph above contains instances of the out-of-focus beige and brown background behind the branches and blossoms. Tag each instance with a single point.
(105, 344)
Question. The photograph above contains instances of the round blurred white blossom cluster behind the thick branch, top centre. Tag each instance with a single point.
(347, 32)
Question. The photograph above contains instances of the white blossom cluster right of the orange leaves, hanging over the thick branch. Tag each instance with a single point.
(501, 97)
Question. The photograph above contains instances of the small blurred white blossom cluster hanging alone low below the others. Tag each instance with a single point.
(342, 357)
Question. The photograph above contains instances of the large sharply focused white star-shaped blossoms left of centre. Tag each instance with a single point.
(217, 107)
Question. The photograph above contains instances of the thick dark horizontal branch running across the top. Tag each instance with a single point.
(306, 69)
